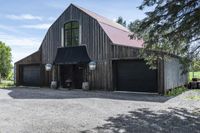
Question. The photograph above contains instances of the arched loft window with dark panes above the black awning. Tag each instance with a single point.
(71, 33)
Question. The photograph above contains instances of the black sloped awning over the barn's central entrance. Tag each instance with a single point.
(72, 55)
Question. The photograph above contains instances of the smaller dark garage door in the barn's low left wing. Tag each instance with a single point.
(31, 75)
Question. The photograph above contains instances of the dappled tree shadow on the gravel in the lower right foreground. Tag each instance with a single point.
(147, 121)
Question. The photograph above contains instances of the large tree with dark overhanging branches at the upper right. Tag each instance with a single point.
(172, 27)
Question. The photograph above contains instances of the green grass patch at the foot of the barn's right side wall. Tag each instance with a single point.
(176, 91)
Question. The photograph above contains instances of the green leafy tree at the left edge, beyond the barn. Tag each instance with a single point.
(5, 60)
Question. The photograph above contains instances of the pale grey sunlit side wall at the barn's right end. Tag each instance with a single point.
(173, 76)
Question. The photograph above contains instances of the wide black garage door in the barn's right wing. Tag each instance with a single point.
(134, 75)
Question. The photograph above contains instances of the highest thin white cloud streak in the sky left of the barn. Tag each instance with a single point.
(23, 17)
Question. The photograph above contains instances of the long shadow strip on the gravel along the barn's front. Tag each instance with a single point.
(29, 93)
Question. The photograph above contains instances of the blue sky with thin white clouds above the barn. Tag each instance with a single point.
(24, 23)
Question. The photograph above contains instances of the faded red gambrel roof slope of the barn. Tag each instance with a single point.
(116, 32)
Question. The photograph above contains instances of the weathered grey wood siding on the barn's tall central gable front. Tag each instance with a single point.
(95, 39)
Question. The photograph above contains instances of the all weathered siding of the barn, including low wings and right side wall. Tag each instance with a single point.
(100, 49)
